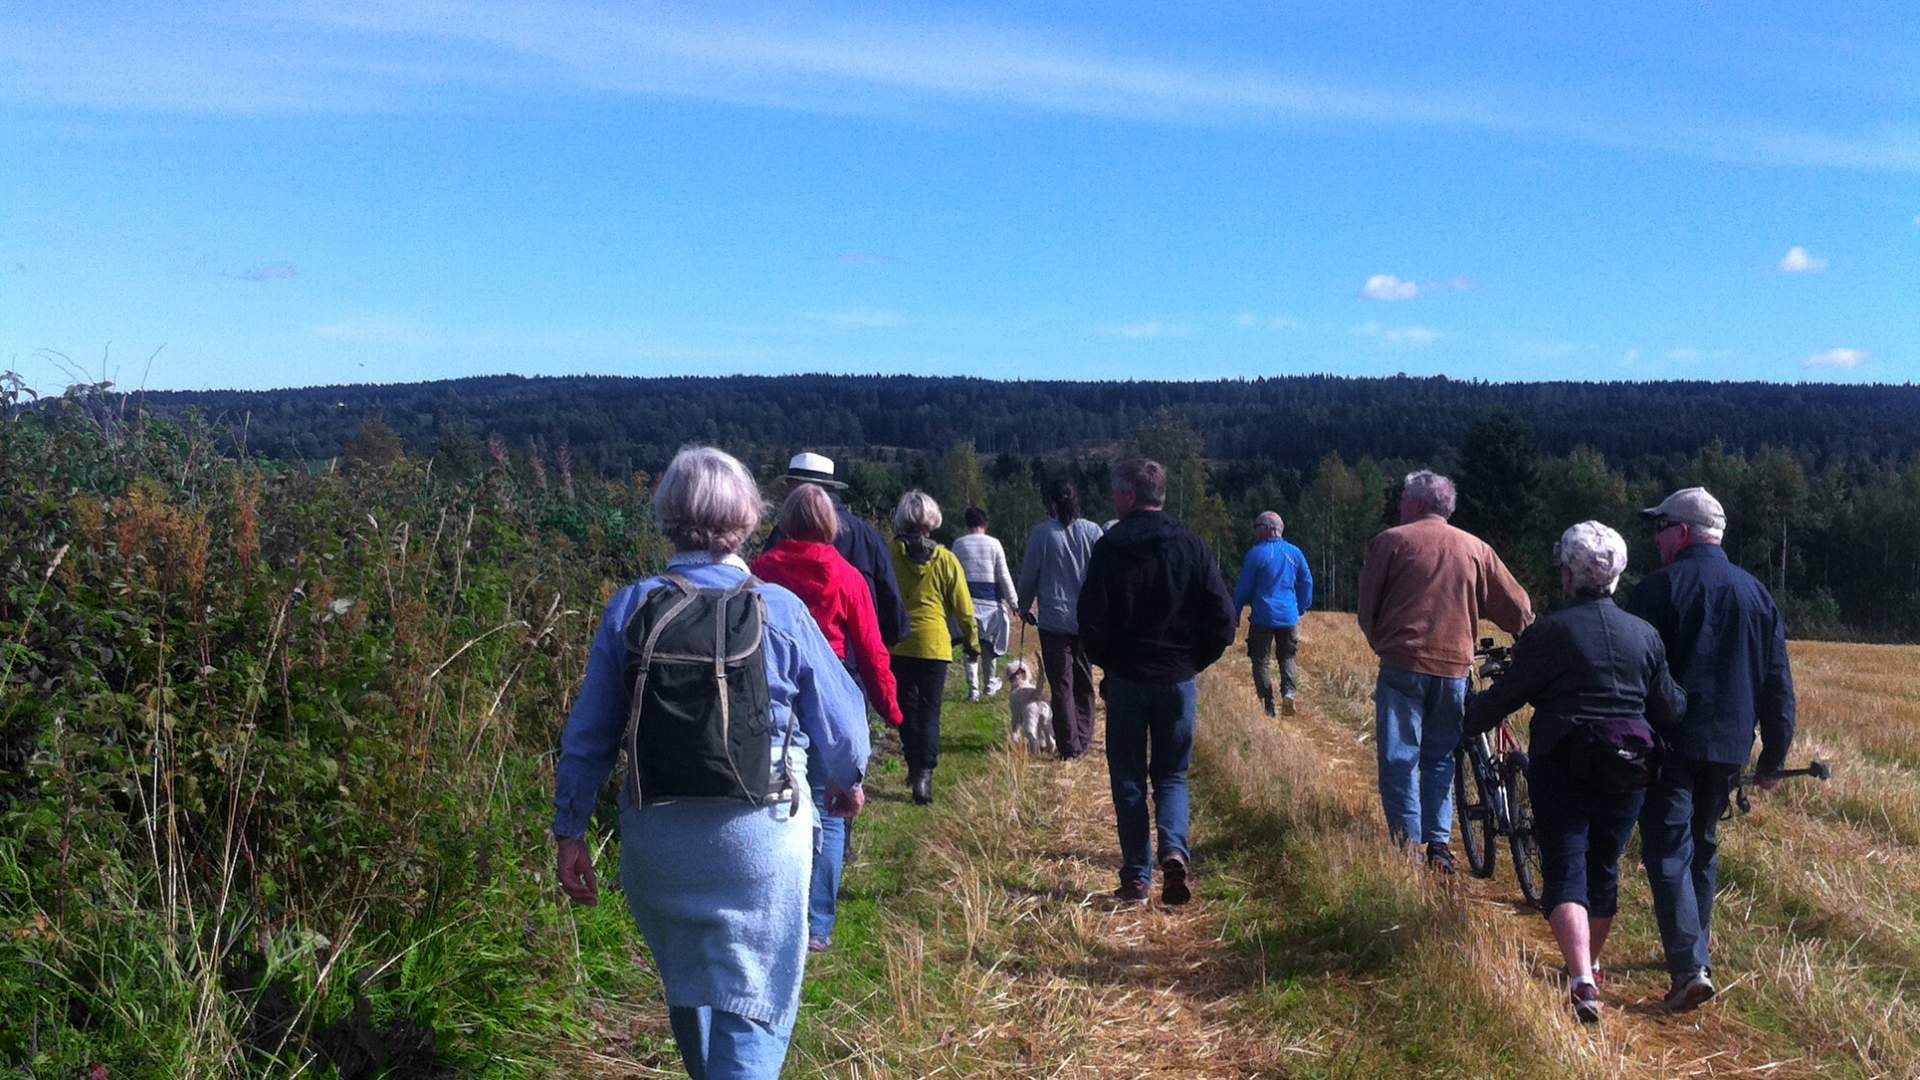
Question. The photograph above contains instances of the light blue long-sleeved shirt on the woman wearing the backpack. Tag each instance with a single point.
(804, 679)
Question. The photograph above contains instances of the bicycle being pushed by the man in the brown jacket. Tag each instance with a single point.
(1497, 800)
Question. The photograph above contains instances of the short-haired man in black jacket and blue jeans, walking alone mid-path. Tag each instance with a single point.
(1153, 614)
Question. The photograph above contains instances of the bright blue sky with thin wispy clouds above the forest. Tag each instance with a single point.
(277, 195)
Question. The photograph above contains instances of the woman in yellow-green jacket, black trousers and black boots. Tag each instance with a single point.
(934, 593)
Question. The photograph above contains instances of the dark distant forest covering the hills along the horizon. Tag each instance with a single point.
(1821, 483)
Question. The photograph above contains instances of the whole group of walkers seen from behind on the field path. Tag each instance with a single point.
(738, 695)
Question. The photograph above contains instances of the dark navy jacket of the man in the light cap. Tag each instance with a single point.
(1729, 650)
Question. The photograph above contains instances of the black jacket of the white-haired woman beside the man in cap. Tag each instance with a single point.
(1583, 664)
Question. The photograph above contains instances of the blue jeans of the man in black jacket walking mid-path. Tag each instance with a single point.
(1149, 741)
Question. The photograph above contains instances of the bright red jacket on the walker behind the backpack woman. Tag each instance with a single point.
(844, 606)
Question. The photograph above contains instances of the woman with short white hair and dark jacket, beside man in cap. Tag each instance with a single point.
(1600, 689)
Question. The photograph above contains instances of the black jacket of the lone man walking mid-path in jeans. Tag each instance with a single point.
(1153, 606)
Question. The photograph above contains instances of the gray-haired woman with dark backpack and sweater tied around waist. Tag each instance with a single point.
(717, 831)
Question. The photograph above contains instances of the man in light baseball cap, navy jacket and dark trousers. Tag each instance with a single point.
(1729, 650)
